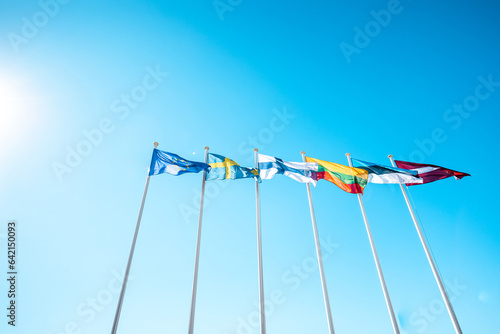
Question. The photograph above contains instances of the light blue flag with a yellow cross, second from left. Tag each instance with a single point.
(224, 168)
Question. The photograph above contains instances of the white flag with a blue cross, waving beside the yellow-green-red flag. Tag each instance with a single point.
(299, 171)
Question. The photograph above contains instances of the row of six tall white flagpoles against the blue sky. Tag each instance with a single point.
(318, 253)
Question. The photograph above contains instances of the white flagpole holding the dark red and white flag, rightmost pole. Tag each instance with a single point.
(442, 289)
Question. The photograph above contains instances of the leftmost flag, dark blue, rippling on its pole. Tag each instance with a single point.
(165, 162)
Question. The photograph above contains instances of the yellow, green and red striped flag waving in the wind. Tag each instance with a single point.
(349, 179)
